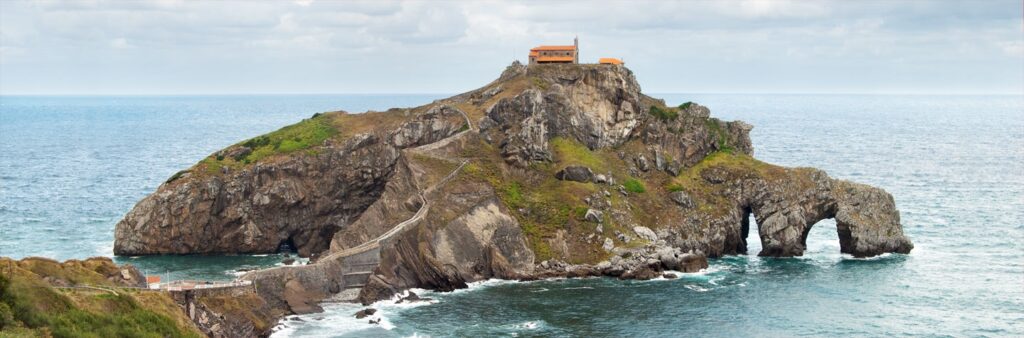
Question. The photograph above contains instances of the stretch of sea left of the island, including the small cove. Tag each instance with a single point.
(72, 166)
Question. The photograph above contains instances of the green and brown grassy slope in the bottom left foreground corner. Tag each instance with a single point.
(30, 307)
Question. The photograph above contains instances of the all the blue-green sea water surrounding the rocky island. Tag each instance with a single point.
(71, 167)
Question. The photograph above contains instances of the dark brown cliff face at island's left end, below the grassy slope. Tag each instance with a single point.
(297, 201)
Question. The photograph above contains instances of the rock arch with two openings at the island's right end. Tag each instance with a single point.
(867, 221)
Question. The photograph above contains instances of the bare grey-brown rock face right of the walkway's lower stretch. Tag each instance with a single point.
(485, 242)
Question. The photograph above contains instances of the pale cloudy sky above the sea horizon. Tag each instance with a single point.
(314, 47)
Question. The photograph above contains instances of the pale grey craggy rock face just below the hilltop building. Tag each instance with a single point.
(600, 107)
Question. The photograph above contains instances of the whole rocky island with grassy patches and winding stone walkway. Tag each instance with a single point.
(551, 171)
